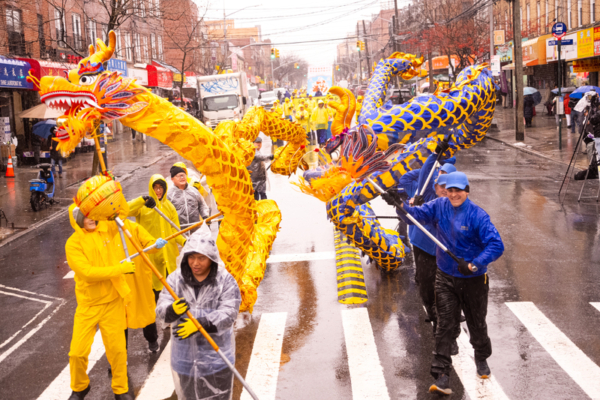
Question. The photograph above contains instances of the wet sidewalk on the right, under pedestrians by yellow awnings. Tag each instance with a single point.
(541, 139)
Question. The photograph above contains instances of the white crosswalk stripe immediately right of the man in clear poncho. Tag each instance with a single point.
(265, 361)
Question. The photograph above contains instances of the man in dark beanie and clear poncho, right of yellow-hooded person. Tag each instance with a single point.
(188, 201)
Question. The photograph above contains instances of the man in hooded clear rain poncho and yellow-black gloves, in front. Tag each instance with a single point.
(213, 297)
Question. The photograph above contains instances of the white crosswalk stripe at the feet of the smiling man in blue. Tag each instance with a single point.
(464, 365)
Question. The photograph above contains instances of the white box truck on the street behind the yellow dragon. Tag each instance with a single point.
(223, 97)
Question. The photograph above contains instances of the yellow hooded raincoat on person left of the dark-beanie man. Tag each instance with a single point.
(163, 259)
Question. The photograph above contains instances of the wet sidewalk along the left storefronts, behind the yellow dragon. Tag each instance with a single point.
(124, 157)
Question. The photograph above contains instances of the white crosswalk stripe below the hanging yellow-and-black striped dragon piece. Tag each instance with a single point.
(366, 373)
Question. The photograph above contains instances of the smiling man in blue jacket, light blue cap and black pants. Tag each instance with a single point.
(466, 230)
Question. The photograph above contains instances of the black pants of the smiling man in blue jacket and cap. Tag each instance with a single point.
(452, 294)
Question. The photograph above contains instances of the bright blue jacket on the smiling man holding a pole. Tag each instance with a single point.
(465, 230)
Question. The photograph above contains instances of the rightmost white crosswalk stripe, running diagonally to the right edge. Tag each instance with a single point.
(574, 361)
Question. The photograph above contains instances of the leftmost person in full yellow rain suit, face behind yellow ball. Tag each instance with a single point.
(100, 289)
